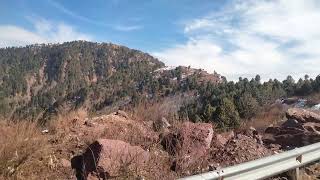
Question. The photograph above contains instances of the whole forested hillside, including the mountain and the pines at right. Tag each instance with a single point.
(39, 81)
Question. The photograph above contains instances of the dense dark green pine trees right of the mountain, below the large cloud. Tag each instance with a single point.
(227, 102)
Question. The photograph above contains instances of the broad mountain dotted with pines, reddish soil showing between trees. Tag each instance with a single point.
(40, 80)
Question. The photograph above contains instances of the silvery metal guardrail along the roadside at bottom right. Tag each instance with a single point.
(265, 167)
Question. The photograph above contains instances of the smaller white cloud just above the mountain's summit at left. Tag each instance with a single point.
(44, 32)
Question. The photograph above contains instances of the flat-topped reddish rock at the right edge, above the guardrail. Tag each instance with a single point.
(303, 115)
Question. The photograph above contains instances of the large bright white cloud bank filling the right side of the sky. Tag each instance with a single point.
(270, 38)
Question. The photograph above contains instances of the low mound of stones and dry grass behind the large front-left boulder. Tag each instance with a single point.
(113, 126)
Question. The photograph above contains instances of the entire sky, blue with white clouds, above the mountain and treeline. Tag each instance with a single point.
(273, 38)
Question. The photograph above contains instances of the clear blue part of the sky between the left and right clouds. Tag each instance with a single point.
(142, 24)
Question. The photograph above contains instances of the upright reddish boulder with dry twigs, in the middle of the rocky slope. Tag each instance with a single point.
(189, 143)
